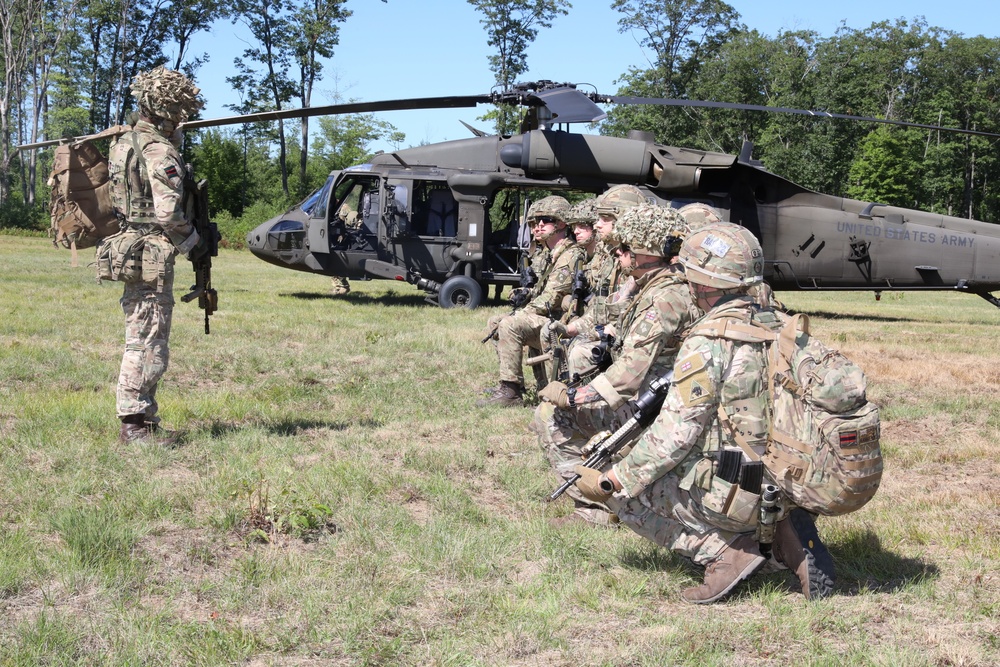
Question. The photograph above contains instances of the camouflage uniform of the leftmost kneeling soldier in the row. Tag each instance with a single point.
(523, 327)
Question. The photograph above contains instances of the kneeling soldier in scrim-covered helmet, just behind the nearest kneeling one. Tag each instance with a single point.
(651, 328)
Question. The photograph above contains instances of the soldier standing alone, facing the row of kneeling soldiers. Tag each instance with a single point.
(147, 185)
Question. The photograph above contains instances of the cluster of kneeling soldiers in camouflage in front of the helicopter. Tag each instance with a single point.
(657, 276)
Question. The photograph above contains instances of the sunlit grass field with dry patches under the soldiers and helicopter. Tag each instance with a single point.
(339, 500)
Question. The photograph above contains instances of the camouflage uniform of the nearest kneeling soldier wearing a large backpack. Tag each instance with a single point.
(670, 493)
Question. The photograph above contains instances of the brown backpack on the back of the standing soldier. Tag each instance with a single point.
(80, 208)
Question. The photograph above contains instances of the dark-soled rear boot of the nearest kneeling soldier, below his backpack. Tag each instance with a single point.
(797, 546)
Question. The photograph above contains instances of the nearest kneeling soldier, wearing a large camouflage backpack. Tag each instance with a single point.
(671, 488)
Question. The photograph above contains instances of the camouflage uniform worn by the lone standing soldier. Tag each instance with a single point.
(148, 194)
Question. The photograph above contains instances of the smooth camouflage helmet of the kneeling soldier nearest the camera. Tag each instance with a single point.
(722, 255)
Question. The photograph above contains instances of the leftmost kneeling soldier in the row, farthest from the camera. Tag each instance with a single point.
(524, 326)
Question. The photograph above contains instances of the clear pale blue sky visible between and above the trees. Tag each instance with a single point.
(413, 48)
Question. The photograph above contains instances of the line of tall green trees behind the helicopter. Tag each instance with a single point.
(67, 65)
